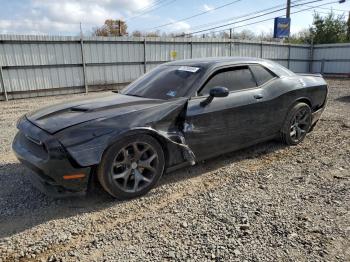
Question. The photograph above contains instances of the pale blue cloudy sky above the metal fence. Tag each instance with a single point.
(63, 17)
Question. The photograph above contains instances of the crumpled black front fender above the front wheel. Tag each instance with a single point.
(165, 122)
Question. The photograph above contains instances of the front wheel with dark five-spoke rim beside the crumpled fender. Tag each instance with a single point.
(131, 167)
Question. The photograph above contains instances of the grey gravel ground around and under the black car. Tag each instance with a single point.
(268, 202)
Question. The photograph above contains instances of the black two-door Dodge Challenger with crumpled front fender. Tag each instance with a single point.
(176, 115)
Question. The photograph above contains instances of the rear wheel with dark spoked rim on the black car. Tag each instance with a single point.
(297, 124)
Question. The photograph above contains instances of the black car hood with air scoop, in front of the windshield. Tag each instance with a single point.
(58, 117)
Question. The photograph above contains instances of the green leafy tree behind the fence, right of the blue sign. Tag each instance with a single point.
(329, 29)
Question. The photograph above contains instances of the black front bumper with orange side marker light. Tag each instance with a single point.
(54, 173)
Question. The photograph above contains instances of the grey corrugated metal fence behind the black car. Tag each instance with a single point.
(46, 65)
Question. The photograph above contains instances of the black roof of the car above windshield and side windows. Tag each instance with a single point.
(214, 62)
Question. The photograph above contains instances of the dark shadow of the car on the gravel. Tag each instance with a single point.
(22, 206)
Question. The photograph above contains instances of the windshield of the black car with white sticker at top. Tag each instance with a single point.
(165, 82)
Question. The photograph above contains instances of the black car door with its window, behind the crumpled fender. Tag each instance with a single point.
(226, 123)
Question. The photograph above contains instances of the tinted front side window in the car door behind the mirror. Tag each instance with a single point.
(234, 79)
